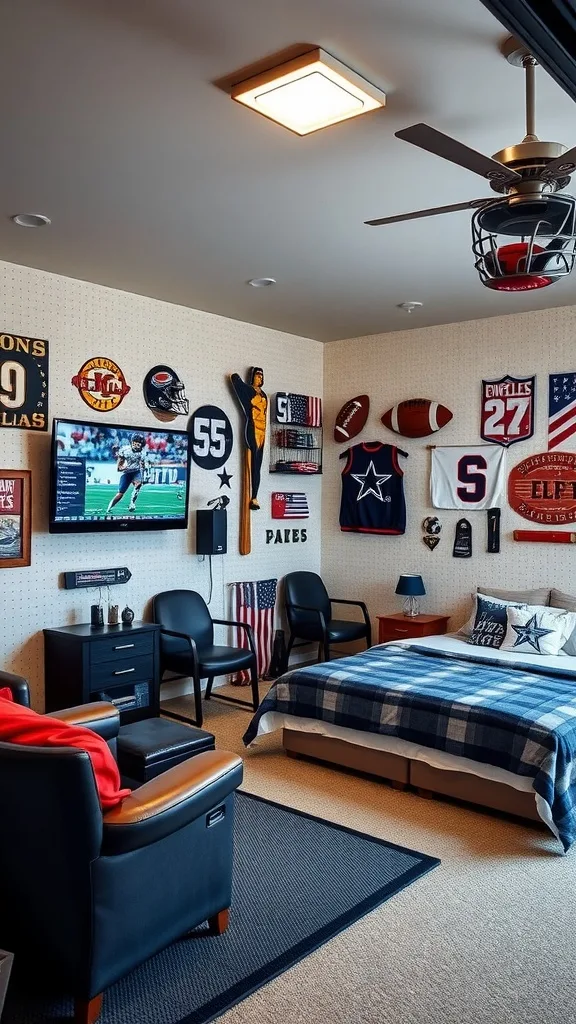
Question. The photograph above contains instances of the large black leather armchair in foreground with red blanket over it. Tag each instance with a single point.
(87, 898)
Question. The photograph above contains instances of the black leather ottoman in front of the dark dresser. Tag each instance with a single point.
(147, 749)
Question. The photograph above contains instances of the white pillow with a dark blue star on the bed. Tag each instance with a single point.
(538, 631)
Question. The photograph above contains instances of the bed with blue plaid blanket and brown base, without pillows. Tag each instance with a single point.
(486, 727)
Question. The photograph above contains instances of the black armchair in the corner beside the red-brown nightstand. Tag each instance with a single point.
(309, 610)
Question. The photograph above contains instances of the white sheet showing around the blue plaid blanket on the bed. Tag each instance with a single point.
(452, 644)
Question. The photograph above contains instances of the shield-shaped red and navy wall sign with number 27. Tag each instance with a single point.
(508, 410)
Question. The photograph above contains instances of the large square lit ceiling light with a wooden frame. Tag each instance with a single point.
(310, 93)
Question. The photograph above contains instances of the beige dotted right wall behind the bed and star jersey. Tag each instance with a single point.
(446, 364)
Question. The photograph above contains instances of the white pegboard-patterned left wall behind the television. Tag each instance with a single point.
(79, 321)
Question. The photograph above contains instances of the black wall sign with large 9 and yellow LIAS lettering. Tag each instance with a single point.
(24, 382)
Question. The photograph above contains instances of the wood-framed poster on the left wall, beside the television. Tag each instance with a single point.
(16, 518)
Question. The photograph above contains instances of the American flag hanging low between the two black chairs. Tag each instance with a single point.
(255, 604)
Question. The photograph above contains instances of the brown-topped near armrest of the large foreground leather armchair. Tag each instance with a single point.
(172, 801)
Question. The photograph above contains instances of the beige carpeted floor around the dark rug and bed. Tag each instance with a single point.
(487, 938)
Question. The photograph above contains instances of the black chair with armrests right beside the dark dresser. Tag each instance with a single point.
(187, 647)
